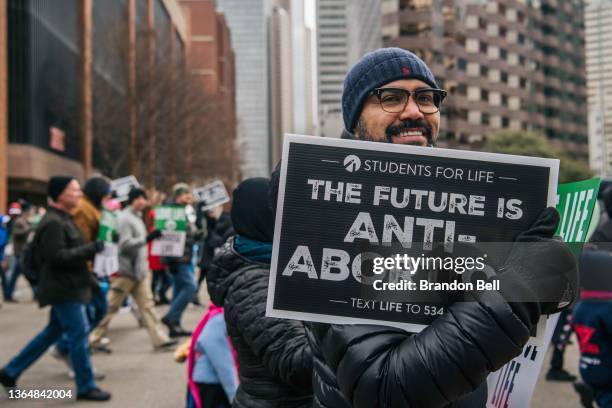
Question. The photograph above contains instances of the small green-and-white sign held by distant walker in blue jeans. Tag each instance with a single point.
(171, 220)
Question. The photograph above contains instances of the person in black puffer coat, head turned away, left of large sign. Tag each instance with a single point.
(274, 358)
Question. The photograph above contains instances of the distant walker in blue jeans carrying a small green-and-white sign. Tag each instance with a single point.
(182, 268)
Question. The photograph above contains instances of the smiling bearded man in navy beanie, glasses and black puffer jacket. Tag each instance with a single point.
(391, 96)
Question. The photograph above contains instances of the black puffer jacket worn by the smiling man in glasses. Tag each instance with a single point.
(387, 367)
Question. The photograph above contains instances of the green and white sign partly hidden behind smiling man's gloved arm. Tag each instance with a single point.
(512, 386)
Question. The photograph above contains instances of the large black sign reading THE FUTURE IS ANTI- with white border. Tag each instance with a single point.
(342, 202)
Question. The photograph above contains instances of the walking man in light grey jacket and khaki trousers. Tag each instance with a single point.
(132, 277)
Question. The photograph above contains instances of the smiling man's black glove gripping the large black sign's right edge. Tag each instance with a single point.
(540, 271)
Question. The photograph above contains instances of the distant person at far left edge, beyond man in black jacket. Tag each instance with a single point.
(20, 229)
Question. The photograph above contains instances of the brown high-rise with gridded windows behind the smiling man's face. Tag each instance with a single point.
(516, 65)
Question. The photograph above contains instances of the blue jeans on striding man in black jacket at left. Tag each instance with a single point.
(68, 318)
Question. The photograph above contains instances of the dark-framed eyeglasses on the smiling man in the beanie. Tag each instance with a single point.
(395, 100)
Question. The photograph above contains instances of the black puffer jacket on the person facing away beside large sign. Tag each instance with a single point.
(275, 361)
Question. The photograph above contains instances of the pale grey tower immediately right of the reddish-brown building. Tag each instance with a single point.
(248, 23)
